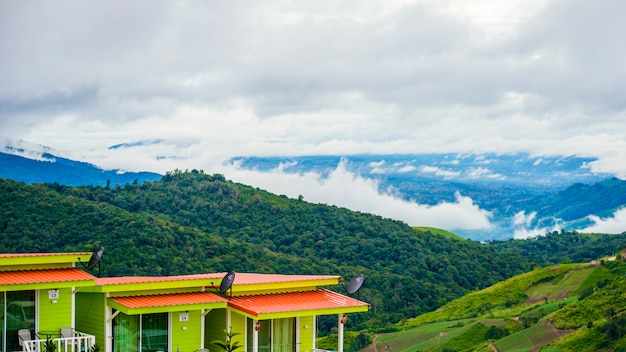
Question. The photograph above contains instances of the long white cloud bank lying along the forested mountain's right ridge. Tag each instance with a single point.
(345, 189)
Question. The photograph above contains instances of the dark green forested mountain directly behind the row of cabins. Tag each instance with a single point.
(190, 222)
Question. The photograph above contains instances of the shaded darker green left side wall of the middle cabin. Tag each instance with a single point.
(90, 315)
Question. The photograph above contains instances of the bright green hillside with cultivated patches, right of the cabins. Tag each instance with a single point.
(573, 307)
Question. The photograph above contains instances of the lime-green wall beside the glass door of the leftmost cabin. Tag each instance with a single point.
(55, 314)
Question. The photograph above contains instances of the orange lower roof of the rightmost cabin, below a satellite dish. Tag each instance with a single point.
(293, 302)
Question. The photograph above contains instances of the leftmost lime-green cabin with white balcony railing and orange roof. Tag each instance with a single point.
(38, 300)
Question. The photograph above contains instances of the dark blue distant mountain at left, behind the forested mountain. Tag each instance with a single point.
(50, 168)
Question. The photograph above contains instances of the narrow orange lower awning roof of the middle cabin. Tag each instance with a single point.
(175, 299)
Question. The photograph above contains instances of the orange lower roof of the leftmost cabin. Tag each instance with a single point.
(23, 277)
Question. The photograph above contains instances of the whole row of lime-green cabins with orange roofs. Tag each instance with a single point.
(185, 313)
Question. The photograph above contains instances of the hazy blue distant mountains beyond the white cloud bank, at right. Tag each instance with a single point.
(550, 191)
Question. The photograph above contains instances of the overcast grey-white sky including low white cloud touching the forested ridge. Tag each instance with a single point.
(189, 84)
